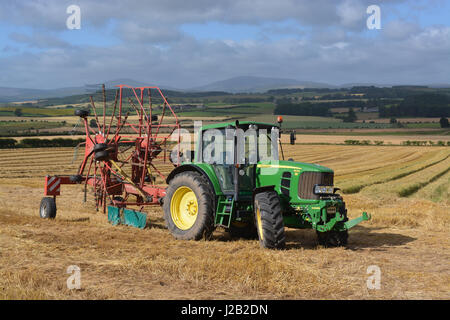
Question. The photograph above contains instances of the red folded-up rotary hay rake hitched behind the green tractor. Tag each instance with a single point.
(122, 154)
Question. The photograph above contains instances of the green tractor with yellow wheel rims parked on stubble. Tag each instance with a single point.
(252, 194)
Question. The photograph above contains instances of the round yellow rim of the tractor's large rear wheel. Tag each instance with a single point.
(184, 208)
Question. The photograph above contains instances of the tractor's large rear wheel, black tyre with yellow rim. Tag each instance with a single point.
(188, 207)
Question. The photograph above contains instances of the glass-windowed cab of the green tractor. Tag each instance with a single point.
(233, 150)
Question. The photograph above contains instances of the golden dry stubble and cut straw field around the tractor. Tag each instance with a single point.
(407, 238)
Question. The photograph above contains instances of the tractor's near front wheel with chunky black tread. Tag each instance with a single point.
(269, 220)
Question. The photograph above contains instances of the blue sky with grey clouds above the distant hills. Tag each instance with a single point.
(185, 44)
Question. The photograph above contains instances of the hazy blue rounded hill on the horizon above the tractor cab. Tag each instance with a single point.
(253, 84)
